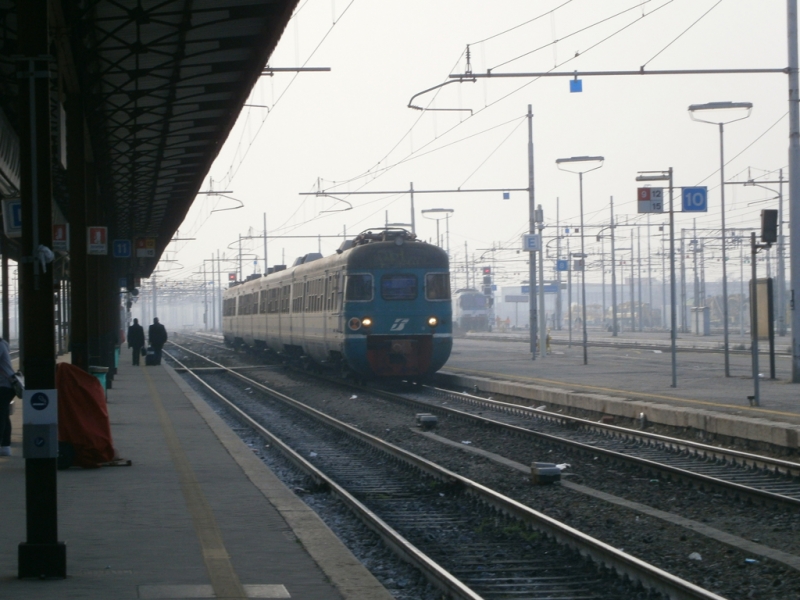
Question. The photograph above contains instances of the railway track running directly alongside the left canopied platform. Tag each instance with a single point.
(470, 540)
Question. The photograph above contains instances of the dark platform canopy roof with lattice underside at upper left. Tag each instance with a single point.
(161, 83)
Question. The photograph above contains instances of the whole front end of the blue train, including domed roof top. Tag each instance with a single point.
(397, 308)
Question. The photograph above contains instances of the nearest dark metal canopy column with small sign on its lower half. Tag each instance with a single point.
(41, 555)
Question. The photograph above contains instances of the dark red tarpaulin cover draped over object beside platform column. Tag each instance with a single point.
(83, 416)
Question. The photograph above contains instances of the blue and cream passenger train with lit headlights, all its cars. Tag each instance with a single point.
(380, 308)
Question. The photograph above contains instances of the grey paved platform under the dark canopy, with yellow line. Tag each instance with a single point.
(197, 515)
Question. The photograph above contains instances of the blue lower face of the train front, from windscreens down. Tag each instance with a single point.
(398, 324)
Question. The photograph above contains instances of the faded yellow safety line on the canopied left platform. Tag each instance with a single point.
(223, 578)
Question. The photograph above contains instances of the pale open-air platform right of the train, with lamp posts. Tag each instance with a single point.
(630, 377)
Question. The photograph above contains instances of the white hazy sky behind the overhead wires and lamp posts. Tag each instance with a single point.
(350, 129)
